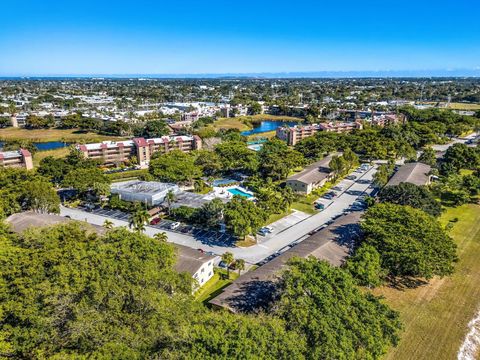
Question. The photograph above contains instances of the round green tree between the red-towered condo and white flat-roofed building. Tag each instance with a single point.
(175, 166)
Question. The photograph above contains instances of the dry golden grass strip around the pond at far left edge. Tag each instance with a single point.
(45, 135)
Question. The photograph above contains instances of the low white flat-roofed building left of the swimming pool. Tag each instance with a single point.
(147, 192)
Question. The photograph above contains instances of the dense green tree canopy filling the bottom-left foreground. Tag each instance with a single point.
(68, 293)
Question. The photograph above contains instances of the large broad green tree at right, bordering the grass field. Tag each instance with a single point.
(410, 242)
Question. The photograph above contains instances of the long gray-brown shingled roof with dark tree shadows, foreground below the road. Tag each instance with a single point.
(252, 291)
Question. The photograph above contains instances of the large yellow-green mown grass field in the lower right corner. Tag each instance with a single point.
(436, 315)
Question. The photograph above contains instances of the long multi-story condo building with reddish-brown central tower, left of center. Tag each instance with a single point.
(110, 152)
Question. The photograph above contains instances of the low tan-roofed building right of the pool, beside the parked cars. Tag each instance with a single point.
(312, 177)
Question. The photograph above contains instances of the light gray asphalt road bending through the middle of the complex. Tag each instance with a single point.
(256, 253)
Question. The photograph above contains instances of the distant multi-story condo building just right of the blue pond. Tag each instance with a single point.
(294, 134)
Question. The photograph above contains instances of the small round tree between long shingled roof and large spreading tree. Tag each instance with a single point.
(365, 266)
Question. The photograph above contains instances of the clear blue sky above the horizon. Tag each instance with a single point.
(167, 37)
